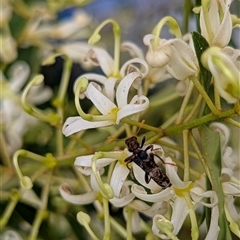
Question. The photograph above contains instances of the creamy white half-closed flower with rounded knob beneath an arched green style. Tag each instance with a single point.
(176, 56)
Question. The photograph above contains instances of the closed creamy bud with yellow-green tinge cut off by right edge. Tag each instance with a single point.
(225, 73)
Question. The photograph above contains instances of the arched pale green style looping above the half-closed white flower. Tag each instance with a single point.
(174, 27)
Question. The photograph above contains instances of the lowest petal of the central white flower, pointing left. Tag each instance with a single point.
(76, 124)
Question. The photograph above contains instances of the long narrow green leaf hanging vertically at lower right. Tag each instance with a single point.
(212, 154)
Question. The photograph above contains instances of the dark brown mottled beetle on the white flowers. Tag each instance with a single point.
(146, 162)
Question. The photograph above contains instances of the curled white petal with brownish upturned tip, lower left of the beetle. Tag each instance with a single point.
(81, 199)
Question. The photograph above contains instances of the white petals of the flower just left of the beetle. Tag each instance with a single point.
(121, 188)
